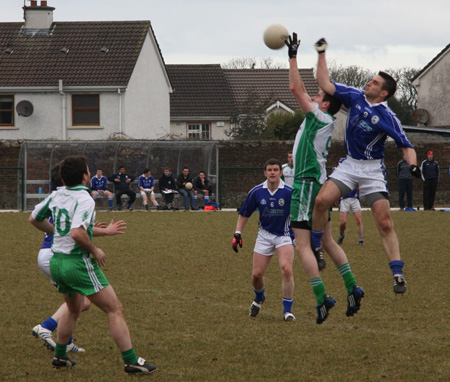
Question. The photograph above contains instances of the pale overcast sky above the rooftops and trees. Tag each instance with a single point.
(375, 35)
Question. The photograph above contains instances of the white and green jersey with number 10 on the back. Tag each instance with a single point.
(70, 207)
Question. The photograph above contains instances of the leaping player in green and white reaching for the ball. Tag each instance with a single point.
(310, 151)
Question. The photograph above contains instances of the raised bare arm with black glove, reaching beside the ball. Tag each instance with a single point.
(296, 84)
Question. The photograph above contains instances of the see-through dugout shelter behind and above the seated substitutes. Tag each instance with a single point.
(38, 158)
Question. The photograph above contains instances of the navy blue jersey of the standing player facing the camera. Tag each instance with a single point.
(273, 208)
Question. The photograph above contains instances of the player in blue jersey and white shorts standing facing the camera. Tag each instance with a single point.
(273, 200)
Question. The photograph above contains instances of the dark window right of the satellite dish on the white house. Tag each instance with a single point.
(85, 109)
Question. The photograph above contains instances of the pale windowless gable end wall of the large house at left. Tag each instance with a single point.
(147, 99)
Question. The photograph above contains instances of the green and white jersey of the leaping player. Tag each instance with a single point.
(311, 145)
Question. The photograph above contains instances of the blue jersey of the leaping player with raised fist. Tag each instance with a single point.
(368, 125)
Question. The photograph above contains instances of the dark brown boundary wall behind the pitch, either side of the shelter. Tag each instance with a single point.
(241, 162)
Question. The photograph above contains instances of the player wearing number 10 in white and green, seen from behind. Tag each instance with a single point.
(75, 271)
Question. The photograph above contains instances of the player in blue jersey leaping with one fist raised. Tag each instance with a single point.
(370, 121)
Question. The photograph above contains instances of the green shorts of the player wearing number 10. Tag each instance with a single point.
(77, 274)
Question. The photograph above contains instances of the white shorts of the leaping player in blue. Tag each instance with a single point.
(368, 175)
